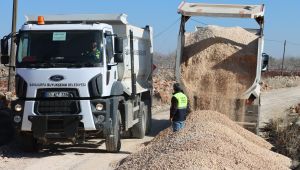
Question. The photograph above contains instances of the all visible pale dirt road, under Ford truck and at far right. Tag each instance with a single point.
(93, 156)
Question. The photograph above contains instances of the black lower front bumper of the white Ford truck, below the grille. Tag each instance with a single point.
(55, 127)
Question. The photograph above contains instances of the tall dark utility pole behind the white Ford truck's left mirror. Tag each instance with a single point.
(12, 62)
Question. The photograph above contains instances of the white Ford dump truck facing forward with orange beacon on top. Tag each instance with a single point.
(81, 77)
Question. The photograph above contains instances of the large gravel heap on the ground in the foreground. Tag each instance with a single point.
(209, 141)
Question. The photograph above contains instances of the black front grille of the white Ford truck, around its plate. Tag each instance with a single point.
(57, 106)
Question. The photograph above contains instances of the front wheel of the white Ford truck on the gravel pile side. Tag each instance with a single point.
(113, 139)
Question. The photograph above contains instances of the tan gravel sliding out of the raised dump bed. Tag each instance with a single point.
(219, 65)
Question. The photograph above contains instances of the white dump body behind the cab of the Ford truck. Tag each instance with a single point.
(143, 45)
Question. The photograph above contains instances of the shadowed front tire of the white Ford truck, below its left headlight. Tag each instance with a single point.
(27, 142)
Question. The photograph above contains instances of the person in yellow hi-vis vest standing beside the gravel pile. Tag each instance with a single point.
(178, 110)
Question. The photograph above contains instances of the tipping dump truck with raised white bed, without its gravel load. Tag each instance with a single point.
(252, 95)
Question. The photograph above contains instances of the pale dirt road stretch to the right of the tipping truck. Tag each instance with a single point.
(274, 103)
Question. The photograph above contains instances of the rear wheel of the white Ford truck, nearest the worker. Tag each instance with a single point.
(139, 129)
